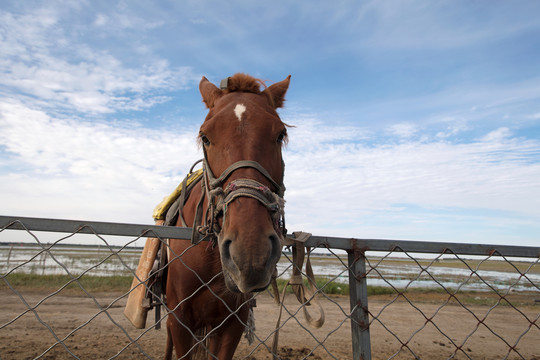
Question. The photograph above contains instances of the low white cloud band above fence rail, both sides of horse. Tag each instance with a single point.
(67, 169)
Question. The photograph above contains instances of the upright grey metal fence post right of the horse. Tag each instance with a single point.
(359, 305)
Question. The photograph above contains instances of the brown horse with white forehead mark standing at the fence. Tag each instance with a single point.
(239, 207)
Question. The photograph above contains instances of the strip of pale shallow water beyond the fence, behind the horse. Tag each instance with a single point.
(104, 261)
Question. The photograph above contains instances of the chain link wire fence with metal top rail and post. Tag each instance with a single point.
(64, 285)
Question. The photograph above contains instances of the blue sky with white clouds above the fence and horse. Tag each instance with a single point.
(415, 120)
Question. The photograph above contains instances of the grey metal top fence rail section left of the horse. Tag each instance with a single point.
(91, 227)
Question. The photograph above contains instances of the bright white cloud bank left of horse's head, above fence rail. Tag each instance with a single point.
(67, 169)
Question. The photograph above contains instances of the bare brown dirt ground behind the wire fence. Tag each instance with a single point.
(400, 330)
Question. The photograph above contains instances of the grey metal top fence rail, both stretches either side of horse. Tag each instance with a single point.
(348, 244)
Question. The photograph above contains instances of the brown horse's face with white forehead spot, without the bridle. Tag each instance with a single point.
(243, 124)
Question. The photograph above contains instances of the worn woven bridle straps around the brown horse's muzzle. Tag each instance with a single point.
(219, 198)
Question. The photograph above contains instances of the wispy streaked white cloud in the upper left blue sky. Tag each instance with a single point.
(39, 59)
